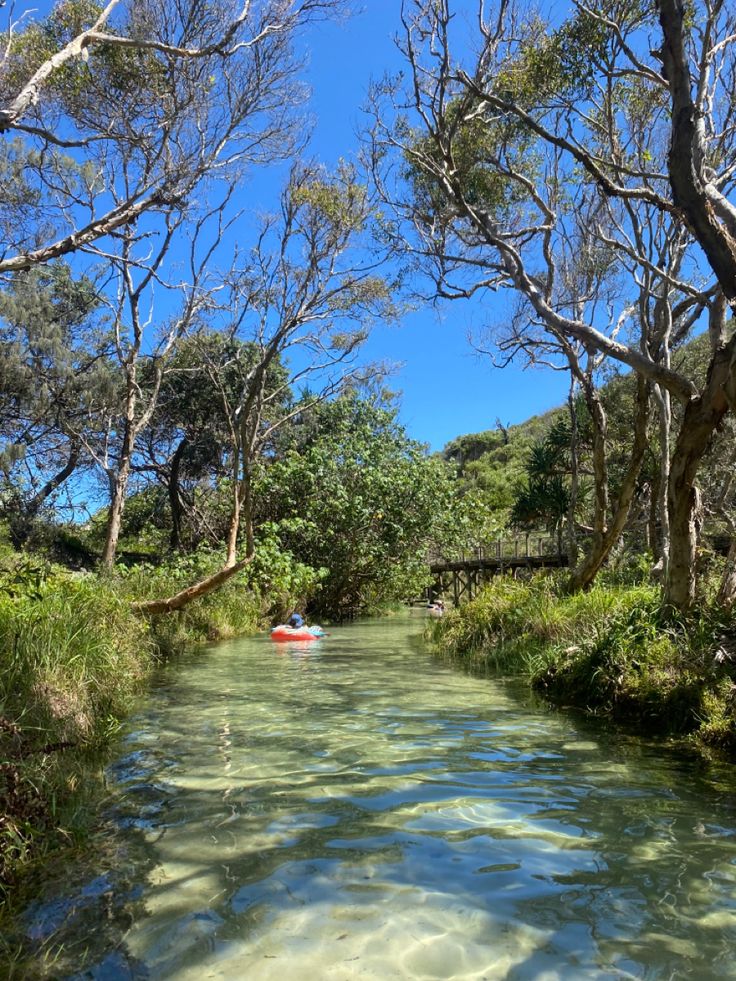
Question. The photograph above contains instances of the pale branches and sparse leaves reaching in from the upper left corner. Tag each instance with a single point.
(182, 92)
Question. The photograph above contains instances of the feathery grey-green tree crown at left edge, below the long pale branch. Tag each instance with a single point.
(54, 344)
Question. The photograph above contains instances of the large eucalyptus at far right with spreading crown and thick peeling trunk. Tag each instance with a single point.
(499, 148)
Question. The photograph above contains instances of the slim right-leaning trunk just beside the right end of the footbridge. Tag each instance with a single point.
(603, 542)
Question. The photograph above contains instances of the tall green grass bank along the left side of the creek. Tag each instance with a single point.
(74, 656)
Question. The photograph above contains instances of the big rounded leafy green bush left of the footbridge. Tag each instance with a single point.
(361, 501)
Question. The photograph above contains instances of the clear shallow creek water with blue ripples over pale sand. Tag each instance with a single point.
(354, 808)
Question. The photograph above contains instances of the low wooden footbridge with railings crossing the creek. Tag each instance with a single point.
(461, 577)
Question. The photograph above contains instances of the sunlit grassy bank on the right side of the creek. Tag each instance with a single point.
(612, 651)
